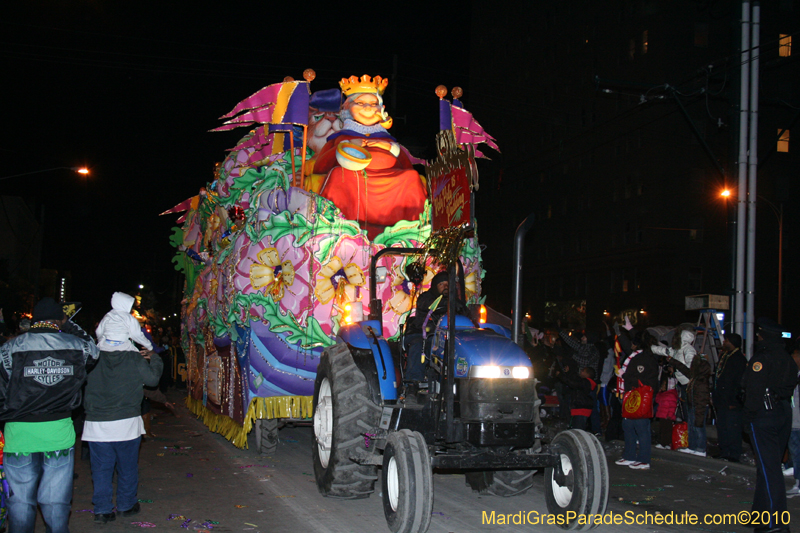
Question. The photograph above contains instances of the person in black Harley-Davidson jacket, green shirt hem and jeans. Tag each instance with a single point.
(41, 374)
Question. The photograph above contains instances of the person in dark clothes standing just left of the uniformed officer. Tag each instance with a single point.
(730, 370)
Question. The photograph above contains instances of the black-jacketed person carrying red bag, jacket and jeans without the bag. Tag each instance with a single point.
(640, 369)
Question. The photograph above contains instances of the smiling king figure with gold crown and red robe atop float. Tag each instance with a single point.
(362, 169)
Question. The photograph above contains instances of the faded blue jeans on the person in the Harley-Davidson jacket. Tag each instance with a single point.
(47, 480)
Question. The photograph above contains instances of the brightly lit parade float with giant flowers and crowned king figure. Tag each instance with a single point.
(276, 248)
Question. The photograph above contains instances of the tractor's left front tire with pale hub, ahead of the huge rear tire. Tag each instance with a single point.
(407, 483)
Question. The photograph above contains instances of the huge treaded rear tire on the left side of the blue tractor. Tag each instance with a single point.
(343, 412)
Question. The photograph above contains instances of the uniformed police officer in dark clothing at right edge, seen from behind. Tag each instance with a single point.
(768, 382)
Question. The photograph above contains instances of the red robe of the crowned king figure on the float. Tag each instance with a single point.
(390, 192)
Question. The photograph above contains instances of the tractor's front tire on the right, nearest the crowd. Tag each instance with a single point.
(579, 483)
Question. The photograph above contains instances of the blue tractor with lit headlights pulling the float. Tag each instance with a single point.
(479, 414)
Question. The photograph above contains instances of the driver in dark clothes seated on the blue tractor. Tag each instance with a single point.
(424, 320)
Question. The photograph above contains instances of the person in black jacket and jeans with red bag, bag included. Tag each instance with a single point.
(641, 380)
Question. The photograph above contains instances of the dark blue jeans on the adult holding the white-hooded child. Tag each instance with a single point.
(105, 456)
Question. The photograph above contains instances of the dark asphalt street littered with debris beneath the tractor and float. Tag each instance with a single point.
(193, 479)
